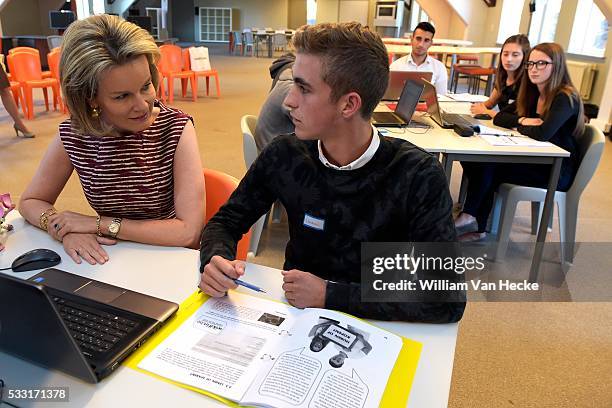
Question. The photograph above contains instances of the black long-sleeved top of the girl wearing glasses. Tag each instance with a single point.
(558, 128)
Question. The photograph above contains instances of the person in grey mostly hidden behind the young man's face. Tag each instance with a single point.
(274, 118)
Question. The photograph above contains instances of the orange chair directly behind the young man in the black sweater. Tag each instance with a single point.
(219, 187)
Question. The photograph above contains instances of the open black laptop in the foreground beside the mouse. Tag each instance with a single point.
(76, 325)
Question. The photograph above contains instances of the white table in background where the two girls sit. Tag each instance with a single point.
(453, 147)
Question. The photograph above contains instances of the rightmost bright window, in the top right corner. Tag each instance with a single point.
(590, 30)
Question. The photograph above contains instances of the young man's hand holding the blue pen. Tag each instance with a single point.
(219, 275)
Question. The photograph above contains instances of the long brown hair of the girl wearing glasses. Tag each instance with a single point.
(559, 82)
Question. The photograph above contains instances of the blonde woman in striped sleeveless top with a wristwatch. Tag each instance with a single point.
(137, 159)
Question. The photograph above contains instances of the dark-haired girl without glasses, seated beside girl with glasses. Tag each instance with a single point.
(508, 76)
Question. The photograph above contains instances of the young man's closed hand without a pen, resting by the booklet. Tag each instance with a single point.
(303, 289)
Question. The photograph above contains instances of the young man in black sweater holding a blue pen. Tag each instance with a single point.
(340, 181)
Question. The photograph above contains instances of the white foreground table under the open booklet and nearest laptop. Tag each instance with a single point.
(172, 274)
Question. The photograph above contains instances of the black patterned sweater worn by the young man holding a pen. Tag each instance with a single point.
(400, 195)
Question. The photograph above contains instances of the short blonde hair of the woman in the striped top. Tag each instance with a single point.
(90, 47)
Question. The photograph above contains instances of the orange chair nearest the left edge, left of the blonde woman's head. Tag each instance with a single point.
(26, 70)
